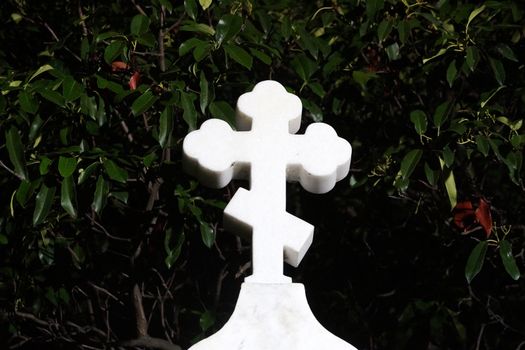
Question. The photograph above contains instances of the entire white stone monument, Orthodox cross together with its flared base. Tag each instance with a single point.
(271, 312)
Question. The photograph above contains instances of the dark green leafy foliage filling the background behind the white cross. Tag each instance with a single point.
(96, 97)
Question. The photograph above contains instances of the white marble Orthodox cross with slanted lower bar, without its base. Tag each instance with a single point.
(268, 153)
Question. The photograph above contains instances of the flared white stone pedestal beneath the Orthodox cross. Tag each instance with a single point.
(272, 317)
